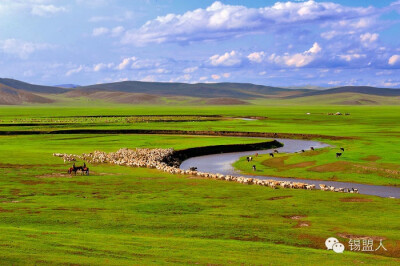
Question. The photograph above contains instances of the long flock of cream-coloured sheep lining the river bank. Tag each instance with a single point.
(162, 159)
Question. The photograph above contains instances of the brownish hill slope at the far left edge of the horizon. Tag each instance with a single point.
(11, 96)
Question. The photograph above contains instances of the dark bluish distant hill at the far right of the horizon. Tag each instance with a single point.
(352, 89)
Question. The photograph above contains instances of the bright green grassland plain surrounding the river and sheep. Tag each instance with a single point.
(122, 215)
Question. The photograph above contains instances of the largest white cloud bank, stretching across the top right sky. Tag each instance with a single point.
(220, 21)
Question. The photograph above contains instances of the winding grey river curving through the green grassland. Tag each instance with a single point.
(222, 163)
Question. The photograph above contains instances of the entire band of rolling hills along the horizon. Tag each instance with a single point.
(137, 92)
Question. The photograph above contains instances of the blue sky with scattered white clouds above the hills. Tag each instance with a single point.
(287, 44)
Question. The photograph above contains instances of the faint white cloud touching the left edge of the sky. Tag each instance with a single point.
(21, 48)
